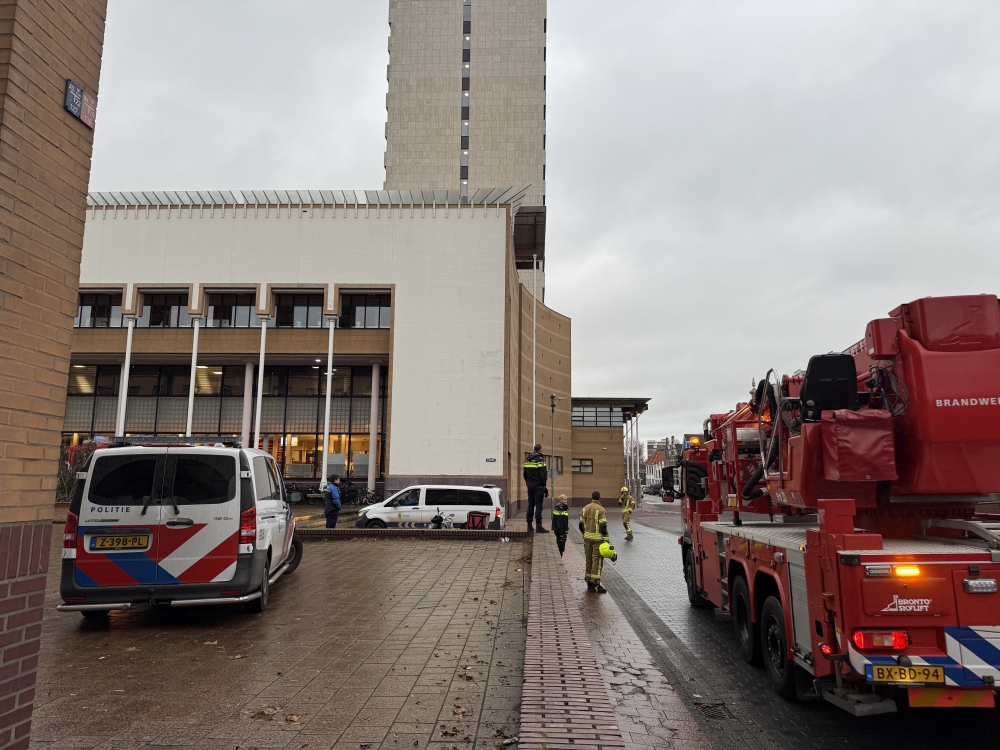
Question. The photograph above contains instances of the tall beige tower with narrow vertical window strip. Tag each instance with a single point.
(466, 103)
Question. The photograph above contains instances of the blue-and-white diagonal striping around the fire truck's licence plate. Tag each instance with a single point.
(972, 659)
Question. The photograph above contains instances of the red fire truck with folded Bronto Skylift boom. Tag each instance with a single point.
(841, 516)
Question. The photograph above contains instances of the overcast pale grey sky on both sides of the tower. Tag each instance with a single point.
(732, 186)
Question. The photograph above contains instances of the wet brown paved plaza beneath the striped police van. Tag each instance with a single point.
(371, 644)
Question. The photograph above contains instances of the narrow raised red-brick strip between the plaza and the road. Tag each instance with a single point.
(564, 703)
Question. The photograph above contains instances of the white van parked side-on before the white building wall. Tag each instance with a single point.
(415, 506)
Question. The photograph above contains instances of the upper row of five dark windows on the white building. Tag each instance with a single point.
(237, 310)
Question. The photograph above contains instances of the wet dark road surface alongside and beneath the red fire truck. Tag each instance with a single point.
(697, 651)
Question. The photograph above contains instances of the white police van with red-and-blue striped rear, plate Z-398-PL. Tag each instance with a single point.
(176, 524)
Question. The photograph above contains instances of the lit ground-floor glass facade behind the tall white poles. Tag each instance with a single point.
(291, 415)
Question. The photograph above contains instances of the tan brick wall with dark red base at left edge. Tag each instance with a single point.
(44, 171)
